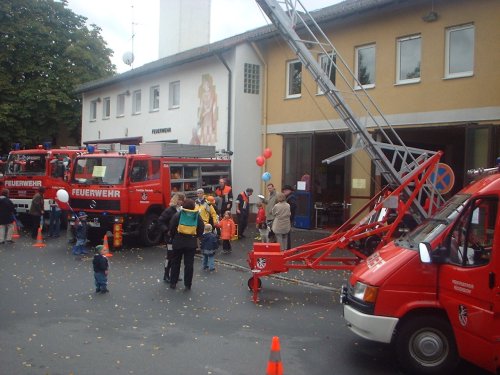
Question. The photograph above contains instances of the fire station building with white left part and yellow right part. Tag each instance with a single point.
(431, 67)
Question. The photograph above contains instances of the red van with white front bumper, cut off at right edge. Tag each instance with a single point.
(435, 292)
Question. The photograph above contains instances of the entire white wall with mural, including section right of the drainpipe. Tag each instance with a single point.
(245, 134)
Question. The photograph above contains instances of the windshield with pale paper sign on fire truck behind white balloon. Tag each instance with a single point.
(99, 170)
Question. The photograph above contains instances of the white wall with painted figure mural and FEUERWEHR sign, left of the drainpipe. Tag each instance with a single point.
(182, 121)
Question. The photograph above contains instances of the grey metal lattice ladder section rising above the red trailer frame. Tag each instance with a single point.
(290, 18)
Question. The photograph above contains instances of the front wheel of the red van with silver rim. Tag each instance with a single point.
(426, 345)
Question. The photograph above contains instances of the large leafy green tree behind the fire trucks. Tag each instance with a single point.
(46, 51)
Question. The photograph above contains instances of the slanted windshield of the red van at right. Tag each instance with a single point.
(434, 226)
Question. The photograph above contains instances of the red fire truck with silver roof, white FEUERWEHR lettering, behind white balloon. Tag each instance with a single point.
(125, 192)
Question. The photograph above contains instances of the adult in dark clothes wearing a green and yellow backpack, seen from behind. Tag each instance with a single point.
(185, 228)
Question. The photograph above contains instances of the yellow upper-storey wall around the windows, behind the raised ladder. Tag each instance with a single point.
(432, 93)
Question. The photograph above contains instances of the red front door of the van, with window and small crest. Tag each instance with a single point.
(469, 282)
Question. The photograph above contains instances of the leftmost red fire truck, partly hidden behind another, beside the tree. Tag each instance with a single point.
(28, 170)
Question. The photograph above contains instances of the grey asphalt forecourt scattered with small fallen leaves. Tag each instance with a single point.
(52, 322)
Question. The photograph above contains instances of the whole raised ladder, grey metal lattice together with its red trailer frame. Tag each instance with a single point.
(409, 172)
